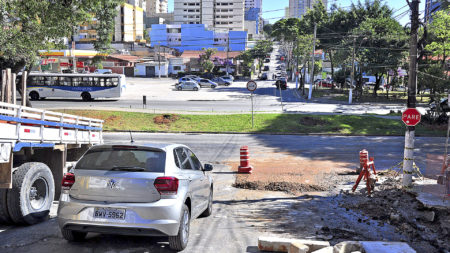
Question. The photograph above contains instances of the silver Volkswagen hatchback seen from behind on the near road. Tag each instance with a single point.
(127, 189)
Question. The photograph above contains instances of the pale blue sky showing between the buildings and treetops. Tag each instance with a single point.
(273, 10)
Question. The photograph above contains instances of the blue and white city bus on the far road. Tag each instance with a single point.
(85, 86)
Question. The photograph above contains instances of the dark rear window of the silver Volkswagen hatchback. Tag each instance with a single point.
(107, 159)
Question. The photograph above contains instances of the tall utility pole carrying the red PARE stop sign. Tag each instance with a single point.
(408, 160)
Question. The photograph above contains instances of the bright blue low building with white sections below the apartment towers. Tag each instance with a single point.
(196, 37)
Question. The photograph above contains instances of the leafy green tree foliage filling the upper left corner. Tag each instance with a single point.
(33, 25)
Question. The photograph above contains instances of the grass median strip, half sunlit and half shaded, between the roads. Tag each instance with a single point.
(263, 123)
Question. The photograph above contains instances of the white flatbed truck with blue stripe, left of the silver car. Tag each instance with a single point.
(34, 148)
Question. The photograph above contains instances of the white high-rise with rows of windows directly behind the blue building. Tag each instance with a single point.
(226, 14)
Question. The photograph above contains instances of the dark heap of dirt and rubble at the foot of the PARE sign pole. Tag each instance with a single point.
(427, 229)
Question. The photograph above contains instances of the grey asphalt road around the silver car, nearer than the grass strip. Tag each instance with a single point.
(228, 229)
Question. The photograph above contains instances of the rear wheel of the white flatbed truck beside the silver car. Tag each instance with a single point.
(31, 197)
